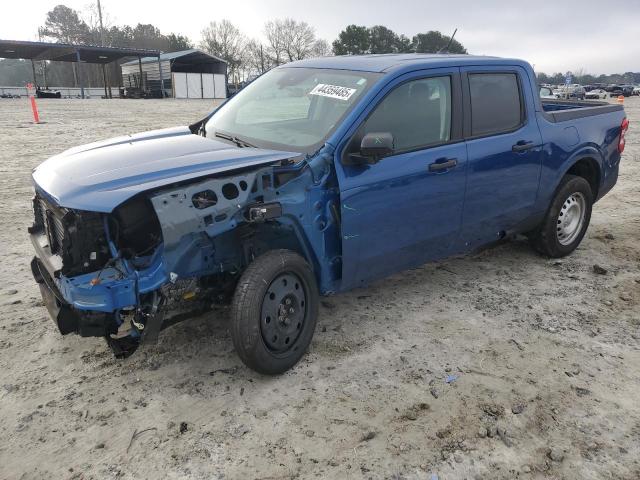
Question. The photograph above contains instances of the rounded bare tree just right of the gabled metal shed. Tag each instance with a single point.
(224, 40)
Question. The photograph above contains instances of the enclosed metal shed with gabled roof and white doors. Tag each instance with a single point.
(186, 74)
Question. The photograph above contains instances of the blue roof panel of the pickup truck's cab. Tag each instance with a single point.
(393, 61)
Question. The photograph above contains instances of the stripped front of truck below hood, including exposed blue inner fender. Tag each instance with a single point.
(157, 258)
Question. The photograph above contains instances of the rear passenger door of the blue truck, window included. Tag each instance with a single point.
(504, 148)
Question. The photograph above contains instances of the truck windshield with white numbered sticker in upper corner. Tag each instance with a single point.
(292, 109)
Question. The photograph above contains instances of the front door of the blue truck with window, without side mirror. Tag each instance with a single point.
(406, 208)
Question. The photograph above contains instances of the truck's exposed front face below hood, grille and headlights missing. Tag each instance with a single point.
(98, 273)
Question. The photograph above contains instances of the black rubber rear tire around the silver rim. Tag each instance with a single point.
(546, 239)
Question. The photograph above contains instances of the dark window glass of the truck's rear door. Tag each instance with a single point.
(496, 103)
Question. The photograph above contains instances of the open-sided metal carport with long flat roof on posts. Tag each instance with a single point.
(63, 52)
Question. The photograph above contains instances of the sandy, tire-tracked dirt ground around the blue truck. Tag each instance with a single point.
(543, 357)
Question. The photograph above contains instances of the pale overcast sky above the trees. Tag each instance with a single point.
(593, 35)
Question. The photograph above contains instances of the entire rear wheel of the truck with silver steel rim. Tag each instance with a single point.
(567, 219)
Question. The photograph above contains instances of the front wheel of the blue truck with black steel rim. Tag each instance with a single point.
(250, 300)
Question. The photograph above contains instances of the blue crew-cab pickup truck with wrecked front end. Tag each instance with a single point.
(320, 176)
